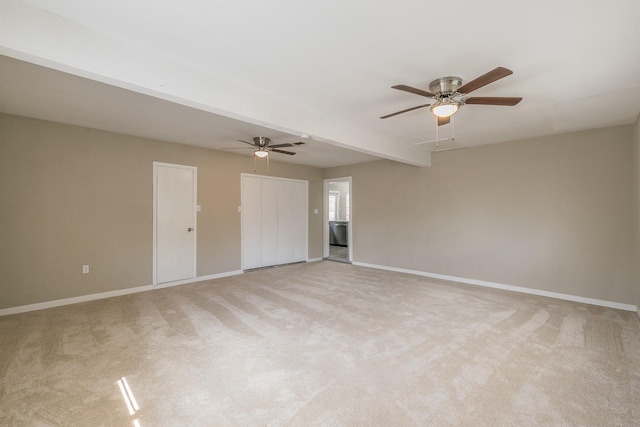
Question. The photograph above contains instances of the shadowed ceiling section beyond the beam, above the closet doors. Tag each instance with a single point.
(35, 91)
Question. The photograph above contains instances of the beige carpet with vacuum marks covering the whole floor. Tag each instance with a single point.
(322, 344)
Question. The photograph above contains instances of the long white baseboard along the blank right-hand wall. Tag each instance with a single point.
(592, 301)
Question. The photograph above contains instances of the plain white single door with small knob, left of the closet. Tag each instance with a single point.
(175, 222)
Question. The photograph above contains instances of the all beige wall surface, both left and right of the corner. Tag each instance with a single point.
(556, 213)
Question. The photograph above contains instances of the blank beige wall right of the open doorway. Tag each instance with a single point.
(555, 213)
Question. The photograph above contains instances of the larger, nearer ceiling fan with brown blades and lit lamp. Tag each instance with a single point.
(450, 94)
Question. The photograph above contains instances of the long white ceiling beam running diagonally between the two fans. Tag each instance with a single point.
(34, 35)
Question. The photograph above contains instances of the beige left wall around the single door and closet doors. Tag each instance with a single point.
(73, 196)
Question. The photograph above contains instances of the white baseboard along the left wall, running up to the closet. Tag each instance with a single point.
(110, 294)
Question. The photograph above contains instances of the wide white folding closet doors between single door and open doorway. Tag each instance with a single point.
(274, 221)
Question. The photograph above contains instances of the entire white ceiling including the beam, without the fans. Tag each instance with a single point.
(208, 72)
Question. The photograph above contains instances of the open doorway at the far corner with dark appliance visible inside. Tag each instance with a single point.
(338, 220)
